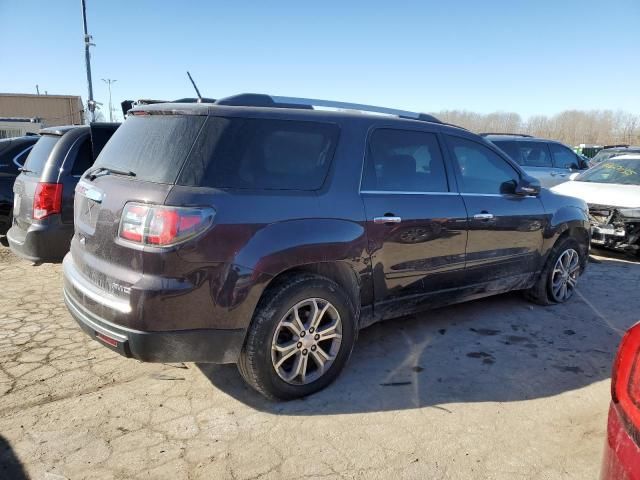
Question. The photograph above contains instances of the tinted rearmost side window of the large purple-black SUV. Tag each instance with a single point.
(263, 154)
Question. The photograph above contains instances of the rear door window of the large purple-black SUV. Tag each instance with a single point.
(404, 161)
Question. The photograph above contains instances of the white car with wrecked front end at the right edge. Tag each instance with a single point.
(612, 191)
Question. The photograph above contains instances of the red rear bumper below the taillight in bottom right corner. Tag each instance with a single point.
(621, 458)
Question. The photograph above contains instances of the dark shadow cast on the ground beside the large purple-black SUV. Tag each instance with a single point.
(496, 349)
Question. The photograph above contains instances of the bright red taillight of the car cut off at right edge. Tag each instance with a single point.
(625, 379)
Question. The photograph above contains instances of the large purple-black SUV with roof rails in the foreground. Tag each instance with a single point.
(268, 235)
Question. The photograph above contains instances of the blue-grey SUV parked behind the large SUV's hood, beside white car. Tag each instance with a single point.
(549, 161)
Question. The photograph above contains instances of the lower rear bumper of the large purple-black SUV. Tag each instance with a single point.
(193, 345)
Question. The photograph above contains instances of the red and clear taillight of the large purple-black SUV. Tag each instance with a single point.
(162, 226)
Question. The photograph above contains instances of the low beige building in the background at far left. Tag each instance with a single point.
(51, 110)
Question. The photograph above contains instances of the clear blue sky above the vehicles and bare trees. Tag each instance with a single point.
(531, 57)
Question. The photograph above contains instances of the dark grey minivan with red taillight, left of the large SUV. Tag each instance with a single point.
(44, 191)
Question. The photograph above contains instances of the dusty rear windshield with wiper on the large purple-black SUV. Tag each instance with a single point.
(154, 147)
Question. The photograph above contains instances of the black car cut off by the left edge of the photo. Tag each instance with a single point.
(13, 153)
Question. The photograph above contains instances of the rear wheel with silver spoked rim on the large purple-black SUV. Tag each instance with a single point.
(300, 338)
